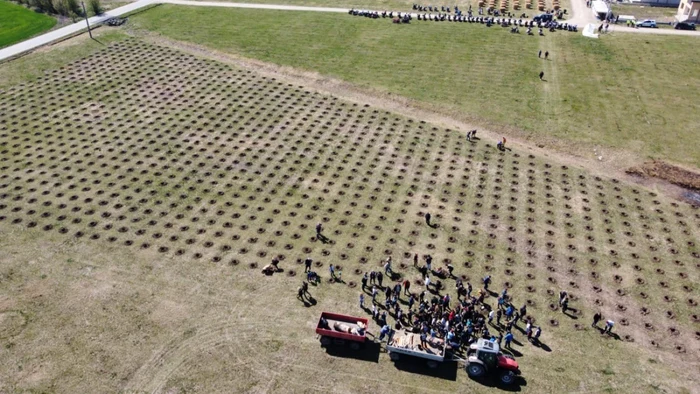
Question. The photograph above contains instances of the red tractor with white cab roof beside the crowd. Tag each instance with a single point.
(485, 357)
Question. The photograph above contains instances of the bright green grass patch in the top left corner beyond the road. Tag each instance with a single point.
(18, 23)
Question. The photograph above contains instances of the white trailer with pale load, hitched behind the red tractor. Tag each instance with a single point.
(408, 343)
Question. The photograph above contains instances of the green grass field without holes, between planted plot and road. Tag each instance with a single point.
(635, 93)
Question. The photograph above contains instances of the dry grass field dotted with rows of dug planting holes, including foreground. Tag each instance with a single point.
(128, 238)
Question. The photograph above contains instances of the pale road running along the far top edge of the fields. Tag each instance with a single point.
(581, 16)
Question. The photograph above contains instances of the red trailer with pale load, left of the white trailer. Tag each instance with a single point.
(340, 329)
